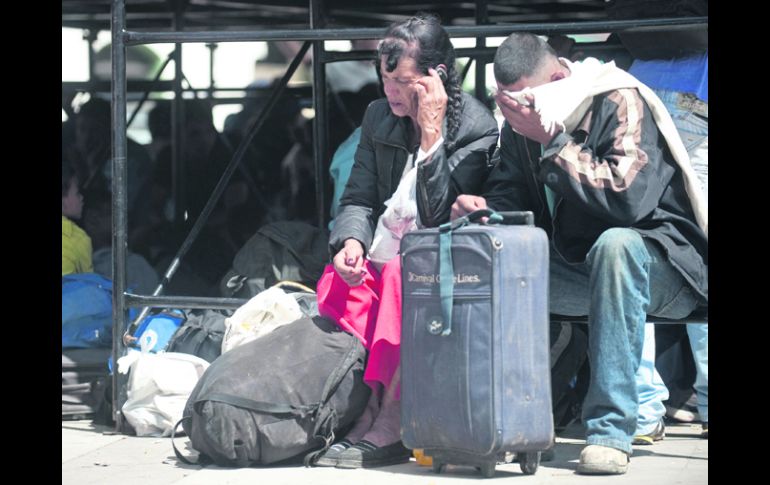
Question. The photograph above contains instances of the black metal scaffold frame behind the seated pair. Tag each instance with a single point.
(315, 36)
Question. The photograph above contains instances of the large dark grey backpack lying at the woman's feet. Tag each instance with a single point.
(277, 397)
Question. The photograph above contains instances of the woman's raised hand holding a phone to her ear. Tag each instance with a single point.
(431, 108)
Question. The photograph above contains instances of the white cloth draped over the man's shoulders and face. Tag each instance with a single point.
(563, 103)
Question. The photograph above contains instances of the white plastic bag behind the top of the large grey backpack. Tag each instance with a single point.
(262, 314)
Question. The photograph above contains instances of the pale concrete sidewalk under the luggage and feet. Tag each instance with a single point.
(92, 454)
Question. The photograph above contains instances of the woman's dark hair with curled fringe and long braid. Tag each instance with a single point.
(424, 39)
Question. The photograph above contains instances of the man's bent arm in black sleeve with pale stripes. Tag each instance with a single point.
(618, 172)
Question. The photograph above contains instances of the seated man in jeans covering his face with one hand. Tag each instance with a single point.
(618, 199)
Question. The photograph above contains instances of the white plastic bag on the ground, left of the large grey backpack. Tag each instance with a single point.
(158, 387)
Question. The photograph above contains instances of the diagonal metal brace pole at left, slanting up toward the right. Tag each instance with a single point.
(221, 185)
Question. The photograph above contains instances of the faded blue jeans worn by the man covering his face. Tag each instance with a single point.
(624, 278)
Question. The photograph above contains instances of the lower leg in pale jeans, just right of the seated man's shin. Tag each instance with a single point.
(652, 392)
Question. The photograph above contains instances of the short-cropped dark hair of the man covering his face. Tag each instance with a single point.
(521, 54)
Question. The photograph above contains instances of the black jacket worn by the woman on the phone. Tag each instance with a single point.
(380, 160)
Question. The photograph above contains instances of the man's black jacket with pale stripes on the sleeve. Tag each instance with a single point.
(613, 170)
